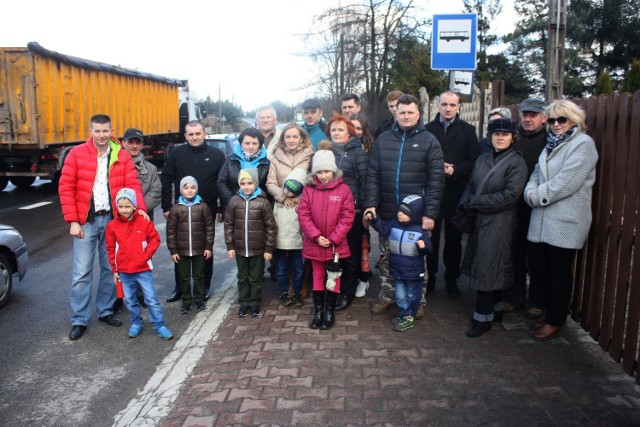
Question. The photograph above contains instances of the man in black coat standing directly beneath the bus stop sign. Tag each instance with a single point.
(459, 142)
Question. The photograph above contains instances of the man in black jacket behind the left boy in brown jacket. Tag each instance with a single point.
(197, 159)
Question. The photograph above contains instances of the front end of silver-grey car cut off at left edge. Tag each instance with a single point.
(13, 260)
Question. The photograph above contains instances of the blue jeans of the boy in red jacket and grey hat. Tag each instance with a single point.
(130, 288)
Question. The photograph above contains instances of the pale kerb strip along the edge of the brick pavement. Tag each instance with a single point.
(156, 399)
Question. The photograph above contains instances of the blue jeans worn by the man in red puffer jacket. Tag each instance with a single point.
(84, 251)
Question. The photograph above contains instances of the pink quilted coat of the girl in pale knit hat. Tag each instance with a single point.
(326, 210)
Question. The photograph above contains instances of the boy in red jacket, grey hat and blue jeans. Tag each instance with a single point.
(131, 242)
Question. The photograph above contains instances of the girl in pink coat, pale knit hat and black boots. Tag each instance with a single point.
(326, 213)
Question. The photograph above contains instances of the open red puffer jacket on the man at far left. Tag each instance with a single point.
(79, 173)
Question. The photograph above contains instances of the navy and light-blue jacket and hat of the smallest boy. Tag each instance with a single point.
(406, 260)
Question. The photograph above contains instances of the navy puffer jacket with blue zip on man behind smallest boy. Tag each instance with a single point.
(404, 163)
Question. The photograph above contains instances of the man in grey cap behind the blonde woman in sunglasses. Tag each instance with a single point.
(532, 138)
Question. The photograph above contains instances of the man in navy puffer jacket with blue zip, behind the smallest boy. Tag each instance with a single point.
(405, 160)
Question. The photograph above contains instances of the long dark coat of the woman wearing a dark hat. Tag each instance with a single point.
(488, 256)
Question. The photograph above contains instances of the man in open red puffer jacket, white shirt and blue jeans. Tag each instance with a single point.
(92, 175)
